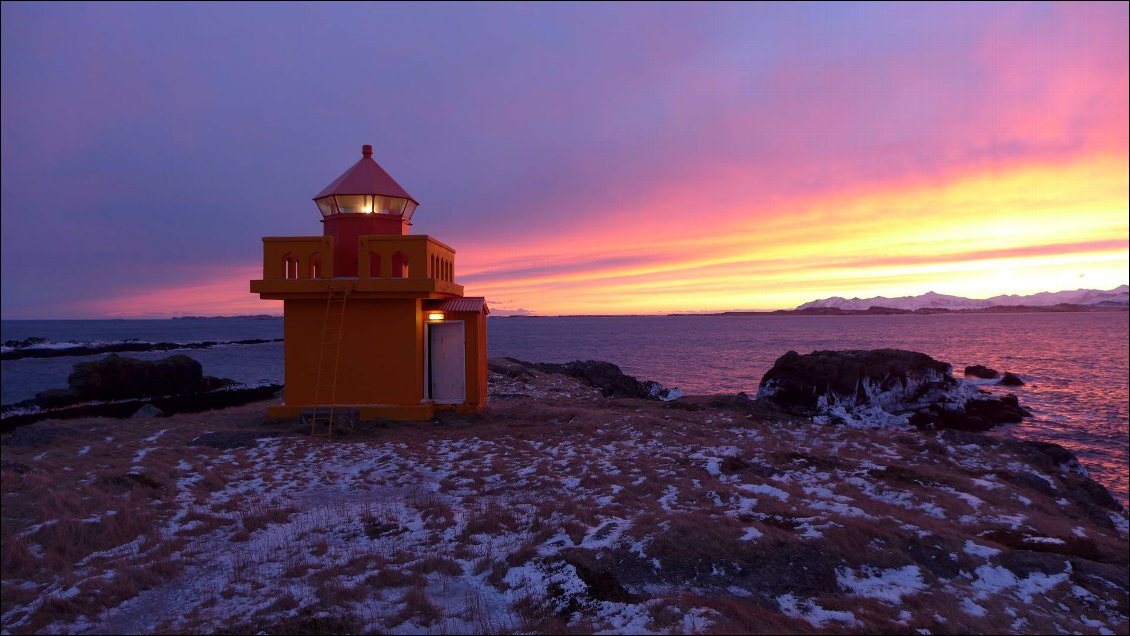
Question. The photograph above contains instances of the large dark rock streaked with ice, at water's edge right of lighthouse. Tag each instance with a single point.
(883, 388)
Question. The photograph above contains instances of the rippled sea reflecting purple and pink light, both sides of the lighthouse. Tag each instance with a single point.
(1076, 367)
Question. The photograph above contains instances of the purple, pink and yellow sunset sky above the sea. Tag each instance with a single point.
(581, 159)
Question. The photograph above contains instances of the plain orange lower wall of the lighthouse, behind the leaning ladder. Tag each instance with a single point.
(381, 358)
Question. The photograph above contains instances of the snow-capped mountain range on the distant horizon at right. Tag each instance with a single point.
(932, 301)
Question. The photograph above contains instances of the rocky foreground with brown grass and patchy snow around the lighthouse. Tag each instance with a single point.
(560, 511)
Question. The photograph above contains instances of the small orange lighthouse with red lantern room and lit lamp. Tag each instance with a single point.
(373, 319)
